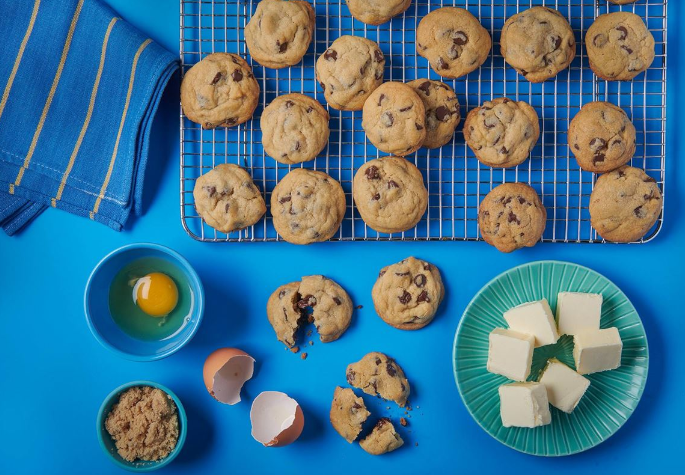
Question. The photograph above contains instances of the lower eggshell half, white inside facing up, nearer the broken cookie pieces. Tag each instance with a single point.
(276, 418)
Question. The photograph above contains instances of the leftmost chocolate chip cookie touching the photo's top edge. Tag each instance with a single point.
(279, 33)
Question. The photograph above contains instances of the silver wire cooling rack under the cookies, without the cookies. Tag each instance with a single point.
(456, 181)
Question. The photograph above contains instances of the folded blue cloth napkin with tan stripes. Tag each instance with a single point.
(78, 90)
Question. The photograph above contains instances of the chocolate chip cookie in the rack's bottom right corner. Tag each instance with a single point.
(625, 204)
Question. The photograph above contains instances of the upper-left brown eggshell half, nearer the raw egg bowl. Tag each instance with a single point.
(225, 371)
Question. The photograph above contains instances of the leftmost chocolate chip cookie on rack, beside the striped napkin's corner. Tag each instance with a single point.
(219, 91)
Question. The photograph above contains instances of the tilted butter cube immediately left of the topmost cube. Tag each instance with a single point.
(534, 318)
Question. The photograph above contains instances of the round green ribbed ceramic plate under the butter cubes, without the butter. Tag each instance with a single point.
(612, 396)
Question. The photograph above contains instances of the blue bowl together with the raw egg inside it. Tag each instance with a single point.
(143, 301)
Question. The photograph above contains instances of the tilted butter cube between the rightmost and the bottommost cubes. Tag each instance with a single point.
(564, 386)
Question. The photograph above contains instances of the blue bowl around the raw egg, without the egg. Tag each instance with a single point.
(100, 321)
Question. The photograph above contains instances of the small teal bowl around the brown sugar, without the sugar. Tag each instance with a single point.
(110, 448)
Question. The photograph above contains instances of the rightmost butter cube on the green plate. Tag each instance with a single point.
(597, 350)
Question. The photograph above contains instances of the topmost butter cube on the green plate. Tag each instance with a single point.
(577, 312)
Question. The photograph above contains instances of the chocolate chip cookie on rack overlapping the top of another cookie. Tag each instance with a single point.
(394, 119)
